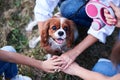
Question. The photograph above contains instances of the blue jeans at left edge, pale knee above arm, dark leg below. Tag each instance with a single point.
(9, 69)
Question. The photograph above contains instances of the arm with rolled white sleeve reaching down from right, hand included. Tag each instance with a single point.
(93, 36)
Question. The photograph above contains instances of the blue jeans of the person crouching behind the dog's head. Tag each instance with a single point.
(69, 9)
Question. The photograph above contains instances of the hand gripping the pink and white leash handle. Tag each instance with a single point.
(110, 19)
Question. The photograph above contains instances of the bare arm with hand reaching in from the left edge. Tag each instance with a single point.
(49, 65)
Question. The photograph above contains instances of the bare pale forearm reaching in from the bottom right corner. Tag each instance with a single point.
(75, 69)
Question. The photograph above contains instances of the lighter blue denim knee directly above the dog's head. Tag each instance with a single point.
(68, 7)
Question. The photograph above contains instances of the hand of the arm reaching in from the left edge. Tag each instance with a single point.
(52, 64)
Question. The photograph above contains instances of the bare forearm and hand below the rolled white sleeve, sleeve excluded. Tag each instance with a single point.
(71, 55)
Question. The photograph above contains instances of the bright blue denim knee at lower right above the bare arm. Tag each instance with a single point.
(105, 67)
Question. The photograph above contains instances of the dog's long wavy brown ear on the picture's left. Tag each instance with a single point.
(44, 34)
